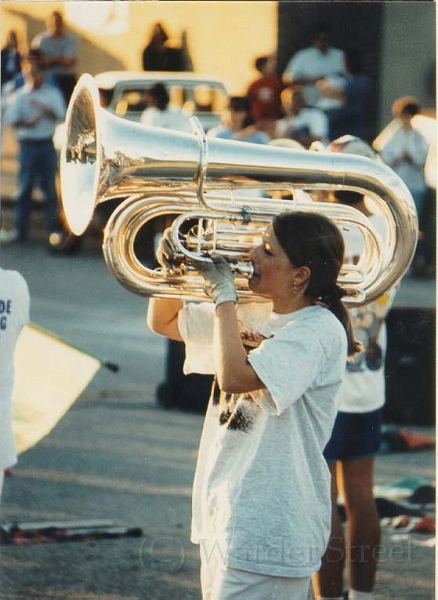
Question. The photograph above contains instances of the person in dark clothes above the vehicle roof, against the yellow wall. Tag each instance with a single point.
(158, 55)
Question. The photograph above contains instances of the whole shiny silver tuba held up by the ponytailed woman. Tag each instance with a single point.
(219, 196)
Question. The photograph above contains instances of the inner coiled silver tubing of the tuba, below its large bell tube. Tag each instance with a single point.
(126, 221)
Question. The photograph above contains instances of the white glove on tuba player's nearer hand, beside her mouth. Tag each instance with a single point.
(219, 284)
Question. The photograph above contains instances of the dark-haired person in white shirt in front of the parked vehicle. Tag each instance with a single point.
(160, 114)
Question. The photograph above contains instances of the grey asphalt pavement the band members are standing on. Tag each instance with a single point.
(118, 459)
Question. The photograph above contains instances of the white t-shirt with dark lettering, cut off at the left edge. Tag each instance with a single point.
(14, 313)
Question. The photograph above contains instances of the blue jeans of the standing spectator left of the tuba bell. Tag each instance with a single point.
(38, 165)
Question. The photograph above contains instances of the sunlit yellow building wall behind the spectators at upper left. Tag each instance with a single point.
(223, 38)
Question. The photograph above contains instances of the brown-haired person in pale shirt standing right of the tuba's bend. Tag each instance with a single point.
(406, 152)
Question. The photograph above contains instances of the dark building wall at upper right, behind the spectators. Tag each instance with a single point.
(397, 41)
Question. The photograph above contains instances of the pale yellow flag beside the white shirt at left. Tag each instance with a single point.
(50, 375)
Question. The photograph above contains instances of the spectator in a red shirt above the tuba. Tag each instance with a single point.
(264, 95)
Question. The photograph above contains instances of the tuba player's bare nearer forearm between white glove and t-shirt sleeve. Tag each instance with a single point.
(234, 373)
